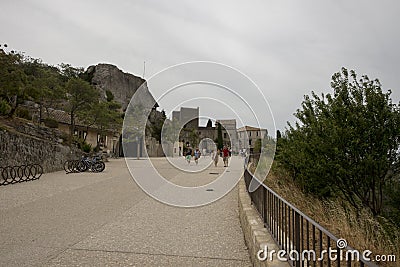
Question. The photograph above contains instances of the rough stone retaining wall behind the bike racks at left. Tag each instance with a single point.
(18, 149)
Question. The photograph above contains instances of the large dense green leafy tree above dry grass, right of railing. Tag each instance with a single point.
(345, 143)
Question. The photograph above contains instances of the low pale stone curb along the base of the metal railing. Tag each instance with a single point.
(255, 234)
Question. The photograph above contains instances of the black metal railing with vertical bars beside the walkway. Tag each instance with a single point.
(305, 242)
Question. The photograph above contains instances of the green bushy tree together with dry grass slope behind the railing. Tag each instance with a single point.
(340, 162)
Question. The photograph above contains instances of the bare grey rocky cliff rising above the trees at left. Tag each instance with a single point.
(122, 85)
